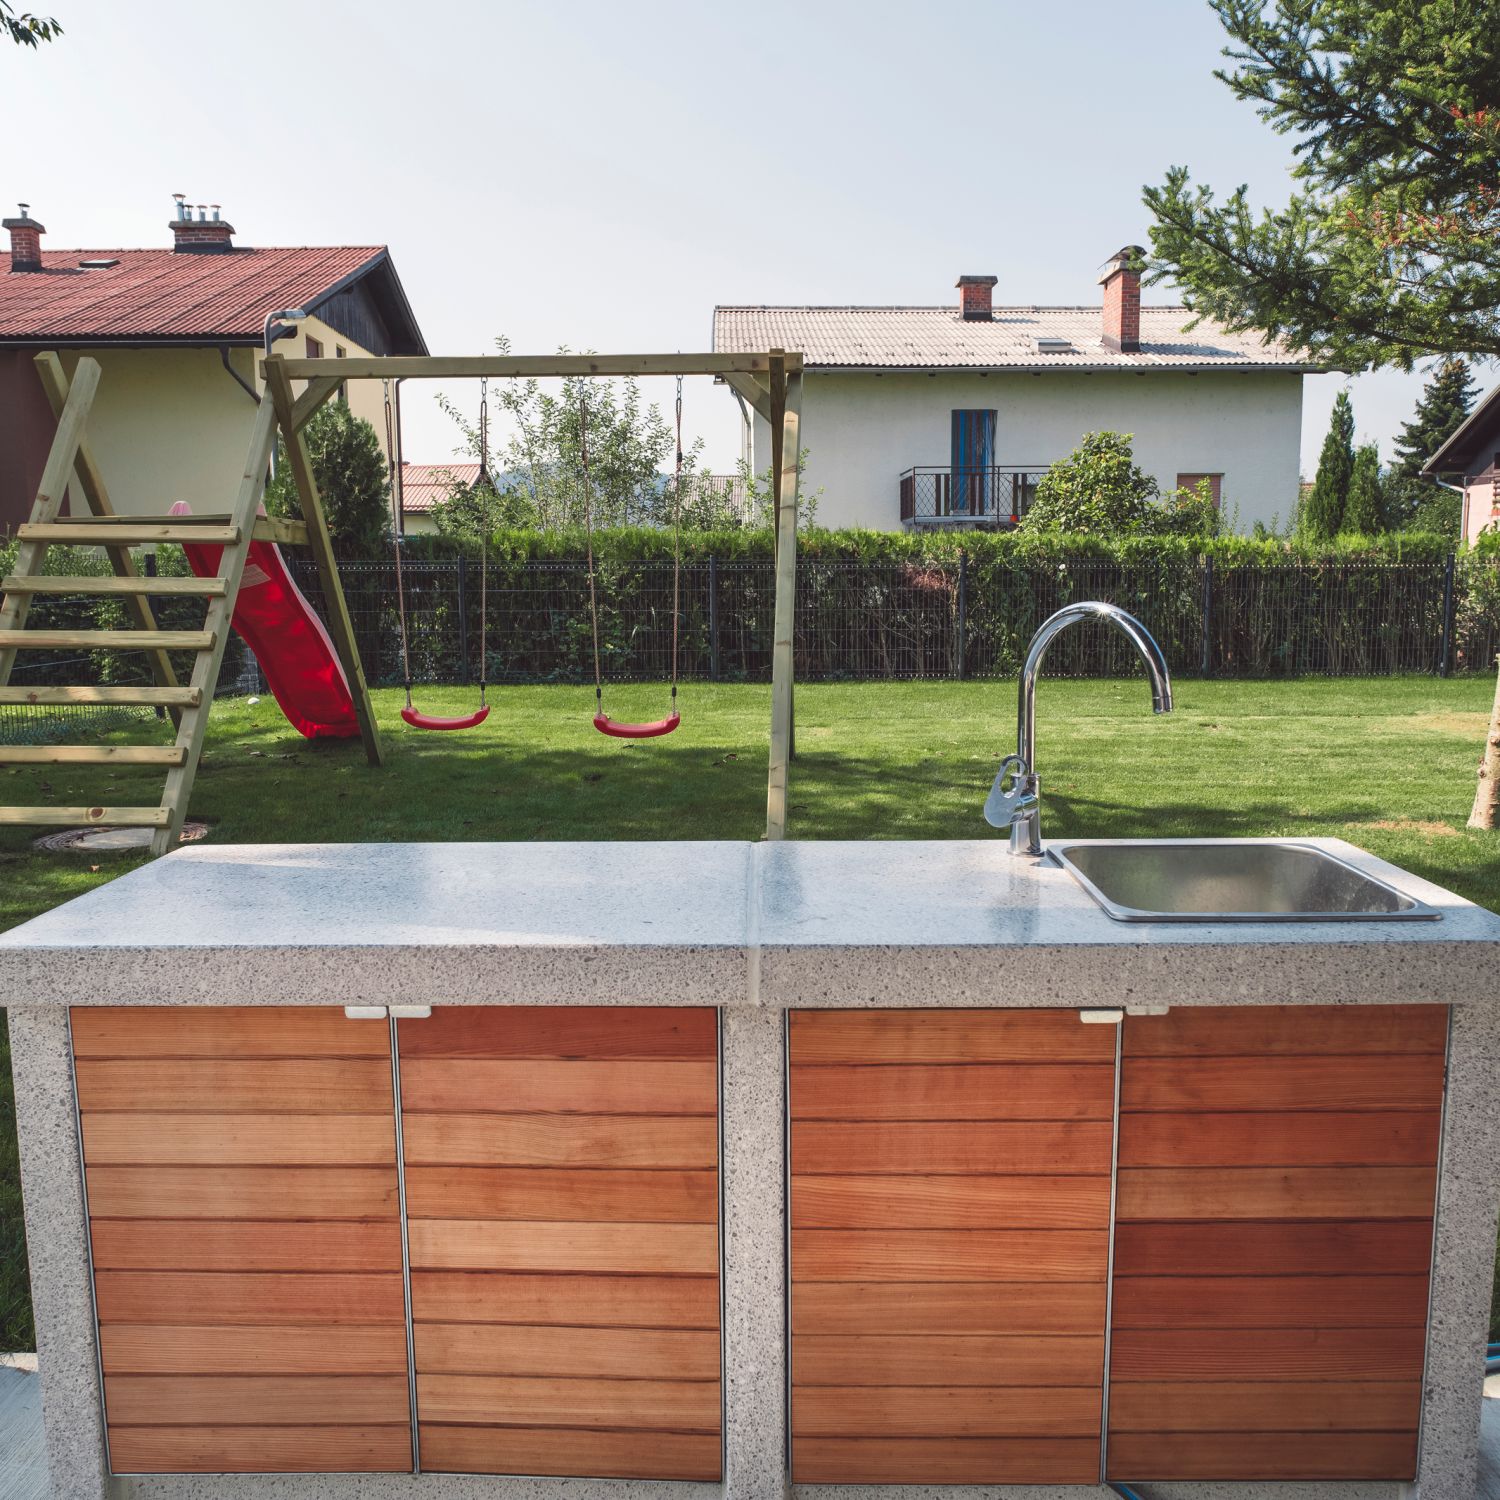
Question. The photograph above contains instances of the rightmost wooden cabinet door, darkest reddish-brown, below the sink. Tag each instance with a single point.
(1279, 1172)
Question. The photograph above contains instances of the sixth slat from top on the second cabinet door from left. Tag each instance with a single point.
(578, 1301)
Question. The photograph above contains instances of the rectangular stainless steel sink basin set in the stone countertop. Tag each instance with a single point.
(1228, 881)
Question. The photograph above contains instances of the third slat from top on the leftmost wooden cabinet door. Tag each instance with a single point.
(347, 1141)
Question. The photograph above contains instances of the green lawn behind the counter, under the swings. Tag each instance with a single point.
(1387, 764)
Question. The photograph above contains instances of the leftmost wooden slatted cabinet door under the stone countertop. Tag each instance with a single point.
(244, 1216)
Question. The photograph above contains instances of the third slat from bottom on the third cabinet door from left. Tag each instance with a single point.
(949, 1360)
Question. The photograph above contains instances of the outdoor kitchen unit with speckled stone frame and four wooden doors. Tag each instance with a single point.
(874, 1036)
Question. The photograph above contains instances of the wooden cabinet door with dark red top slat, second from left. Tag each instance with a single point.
(563, 1220)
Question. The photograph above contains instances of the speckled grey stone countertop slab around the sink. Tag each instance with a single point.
(937, 923)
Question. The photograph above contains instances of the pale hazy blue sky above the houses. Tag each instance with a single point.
(601, 175)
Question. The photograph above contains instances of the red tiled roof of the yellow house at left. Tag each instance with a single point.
(172, 296)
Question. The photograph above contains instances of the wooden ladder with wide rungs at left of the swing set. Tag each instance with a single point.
(188, 704)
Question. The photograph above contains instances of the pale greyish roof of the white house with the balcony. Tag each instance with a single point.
(938, 338)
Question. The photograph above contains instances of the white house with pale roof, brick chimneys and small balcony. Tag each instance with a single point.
(947, 416)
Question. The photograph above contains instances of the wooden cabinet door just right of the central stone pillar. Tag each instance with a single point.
(950, 1246)
